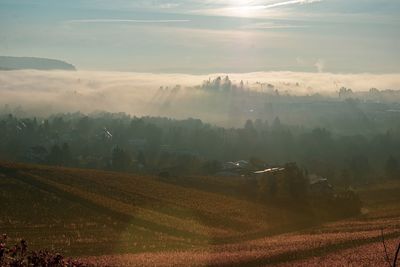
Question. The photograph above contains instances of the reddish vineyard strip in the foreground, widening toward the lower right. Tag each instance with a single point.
(350, 242)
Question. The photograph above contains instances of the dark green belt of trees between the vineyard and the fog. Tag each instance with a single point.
(162, 145)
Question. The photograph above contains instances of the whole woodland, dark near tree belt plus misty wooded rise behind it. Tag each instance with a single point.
(350, 138)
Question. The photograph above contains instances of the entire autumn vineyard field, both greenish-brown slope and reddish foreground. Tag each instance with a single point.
(116, 219)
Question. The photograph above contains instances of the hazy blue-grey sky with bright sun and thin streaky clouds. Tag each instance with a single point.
(194, 36)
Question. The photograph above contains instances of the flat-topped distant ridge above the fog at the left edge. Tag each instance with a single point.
(22, 63)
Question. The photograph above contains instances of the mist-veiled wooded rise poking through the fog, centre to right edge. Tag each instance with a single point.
(226, 103)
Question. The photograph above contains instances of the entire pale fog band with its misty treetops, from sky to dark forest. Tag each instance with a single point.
(220, 100)
